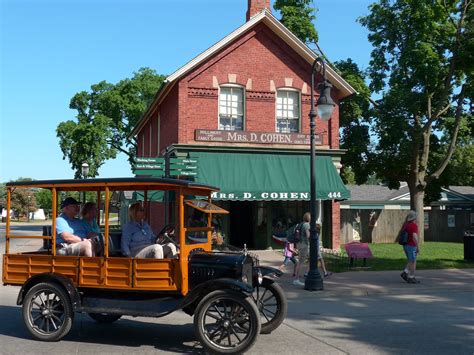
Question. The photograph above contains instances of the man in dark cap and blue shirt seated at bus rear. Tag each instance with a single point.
(71, 232)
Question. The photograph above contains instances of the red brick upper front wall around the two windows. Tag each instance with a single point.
(258, 56)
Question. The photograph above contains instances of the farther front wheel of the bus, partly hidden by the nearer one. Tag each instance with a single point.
(272, 305)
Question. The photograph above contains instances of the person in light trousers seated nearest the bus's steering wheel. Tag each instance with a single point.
(138, 240)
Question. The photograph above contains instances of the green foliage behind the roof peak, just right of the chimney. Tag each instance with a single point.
(298, 17)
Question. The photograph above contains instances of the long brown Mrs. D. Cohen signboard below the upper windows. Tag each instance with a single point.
(254, 137)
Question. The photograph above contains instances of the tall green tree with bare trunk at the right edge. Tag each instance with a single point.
(422, 64)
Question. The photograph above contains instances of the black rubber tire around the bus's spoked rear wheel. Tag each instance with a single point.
(68, 311)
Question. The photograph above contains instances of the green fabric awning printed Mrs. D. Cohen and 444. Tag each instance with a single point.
(264, 177)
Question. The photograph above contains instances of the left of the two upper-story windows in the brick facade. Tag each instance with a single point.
(231, 108)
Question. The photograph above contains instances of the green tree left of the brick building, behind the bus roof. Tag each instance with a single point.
(105, 117)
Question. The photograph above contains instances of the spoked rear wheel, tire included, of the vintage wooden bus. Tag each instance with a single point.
(47, 312)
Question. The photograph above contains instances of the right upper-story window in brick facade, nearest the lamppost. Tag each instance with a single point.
(288, 111)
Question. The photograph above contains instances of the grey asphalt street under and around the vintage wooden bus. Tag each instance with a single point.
(386, 317)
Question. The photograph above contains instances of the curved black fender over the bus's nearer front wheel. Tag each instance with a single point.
(193, 298)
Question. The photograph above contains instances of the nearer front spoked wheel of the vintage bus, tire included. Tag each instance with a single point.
(227, 322)
